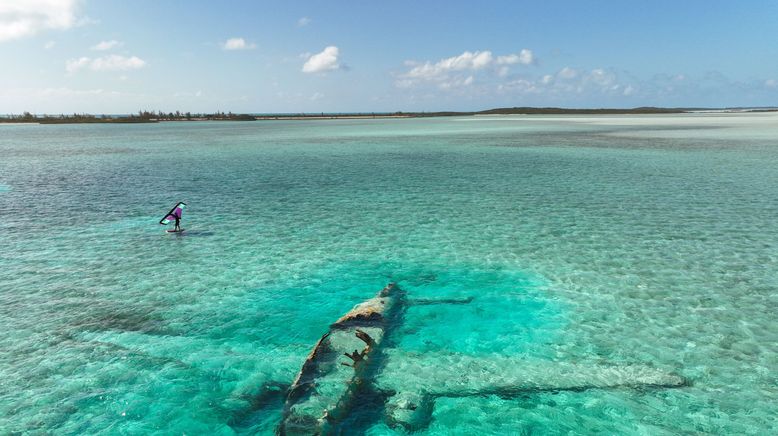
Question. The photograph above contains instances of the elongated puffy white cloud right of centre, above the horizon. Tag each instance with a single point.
(459, 70)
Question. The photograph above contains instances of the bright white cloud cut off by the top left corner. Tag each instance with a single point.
(21, 18)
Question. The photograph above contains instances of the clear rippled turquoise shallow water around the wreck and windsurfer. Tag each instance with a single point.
(589, 241)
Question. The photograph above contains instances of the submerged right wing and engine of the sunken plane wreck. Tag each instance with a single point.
(414, 384)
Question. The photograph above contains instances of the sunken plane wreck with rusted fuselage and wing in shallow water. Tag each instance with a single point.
(354, 367)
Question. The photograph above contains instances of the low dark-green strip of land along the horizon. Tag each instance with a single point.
(144, 116)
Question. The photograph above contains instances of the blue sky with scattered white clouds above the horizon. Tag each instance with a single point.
(118, 57)
